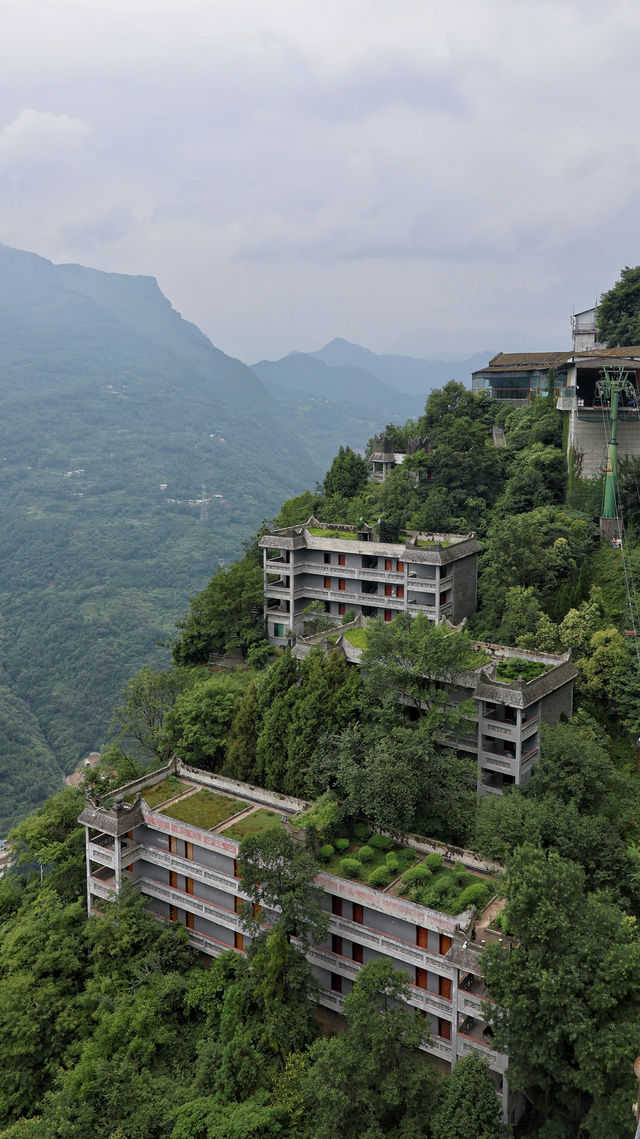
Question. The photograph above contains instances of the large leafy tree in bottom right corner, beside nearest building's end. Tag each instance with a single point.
(569, 997)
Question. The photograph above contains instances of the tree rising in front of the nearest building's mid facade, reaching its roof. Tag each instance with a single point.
(278, 875)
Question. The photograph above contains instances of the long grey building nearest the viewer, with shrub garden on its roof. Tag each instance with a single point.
(188, 874)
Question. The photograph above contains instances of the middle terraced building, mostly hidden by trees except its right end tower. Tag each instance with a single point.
(504, 734)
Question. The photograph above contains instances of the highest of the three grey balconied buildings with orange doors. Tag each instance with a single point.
(350, 570)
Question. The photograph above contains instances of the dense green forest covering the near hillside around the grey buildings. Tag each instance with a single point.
(111, 1027)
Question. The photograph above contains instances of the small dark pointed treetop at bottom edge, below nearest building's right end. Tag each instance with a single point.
(467, 1103)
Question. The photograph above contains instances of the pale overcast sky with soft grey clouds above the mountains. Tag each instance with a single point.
(421, 177)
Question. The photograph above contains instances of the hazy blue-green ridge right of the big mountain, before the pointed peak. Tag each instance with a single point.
(329, 406)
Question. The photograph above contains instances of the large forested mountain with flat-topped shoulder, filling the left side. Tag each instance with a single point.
(116, 413)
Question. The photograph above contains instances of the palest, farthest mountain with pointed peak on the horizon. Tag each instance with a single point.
(407, 374)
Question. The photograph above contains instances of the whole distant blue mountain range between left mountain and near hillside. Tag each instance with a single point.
(348, 384)
